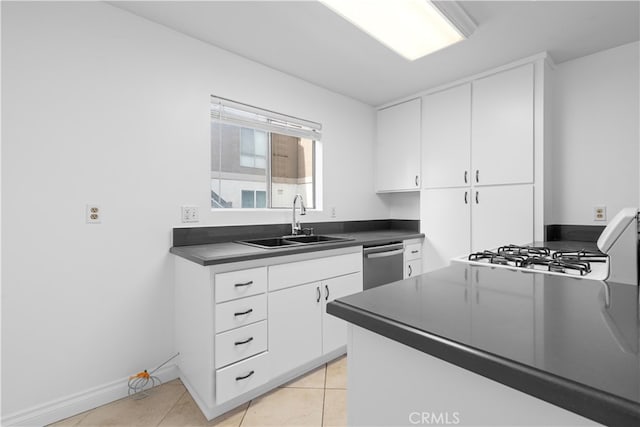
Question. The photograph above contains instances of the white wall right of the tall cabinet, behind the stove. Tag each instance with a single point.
(596, 135)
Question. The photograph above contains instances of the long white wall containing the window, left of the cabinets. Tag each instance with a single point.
(102, 106)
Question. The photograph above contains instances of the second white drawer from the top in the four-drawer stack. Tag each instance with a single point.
(240, 312)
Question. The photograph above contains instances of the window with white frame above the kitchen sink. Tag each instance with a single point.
(261, 159)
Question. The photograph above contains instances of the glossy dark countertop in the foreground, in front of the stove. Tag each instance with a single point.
(571, 342)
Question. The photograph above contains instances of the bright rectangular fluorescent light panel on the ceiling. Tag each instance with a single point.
(412, 28)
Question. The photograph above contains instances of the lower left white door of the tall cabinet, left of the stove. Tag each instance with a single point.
(445, 218)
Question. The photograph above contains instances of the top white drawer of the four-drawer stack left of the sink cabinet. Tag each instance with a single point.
(241, 283)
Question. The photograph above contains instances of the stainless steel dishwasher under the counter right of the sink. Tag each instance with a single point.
(382, 264)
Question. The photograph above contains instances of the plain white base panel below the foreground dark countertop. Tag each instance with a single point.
(390, 383)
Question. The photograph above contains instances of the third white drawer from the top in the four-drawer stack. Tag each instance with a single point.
(240, 343)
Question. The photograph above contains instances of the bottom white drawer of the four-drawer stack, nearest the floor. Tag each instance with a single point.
(241, 377)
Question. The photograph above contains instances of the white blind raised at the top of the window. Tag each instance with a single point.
(236, 113)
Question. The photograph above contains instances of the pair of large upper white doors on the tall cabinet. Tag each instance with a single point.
(480, 133)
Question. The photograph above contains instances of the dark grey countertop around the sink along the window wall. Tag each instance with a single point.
(221, 253)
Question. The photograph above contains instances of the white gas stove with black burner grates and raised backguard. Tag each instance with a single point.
(616, 259)
